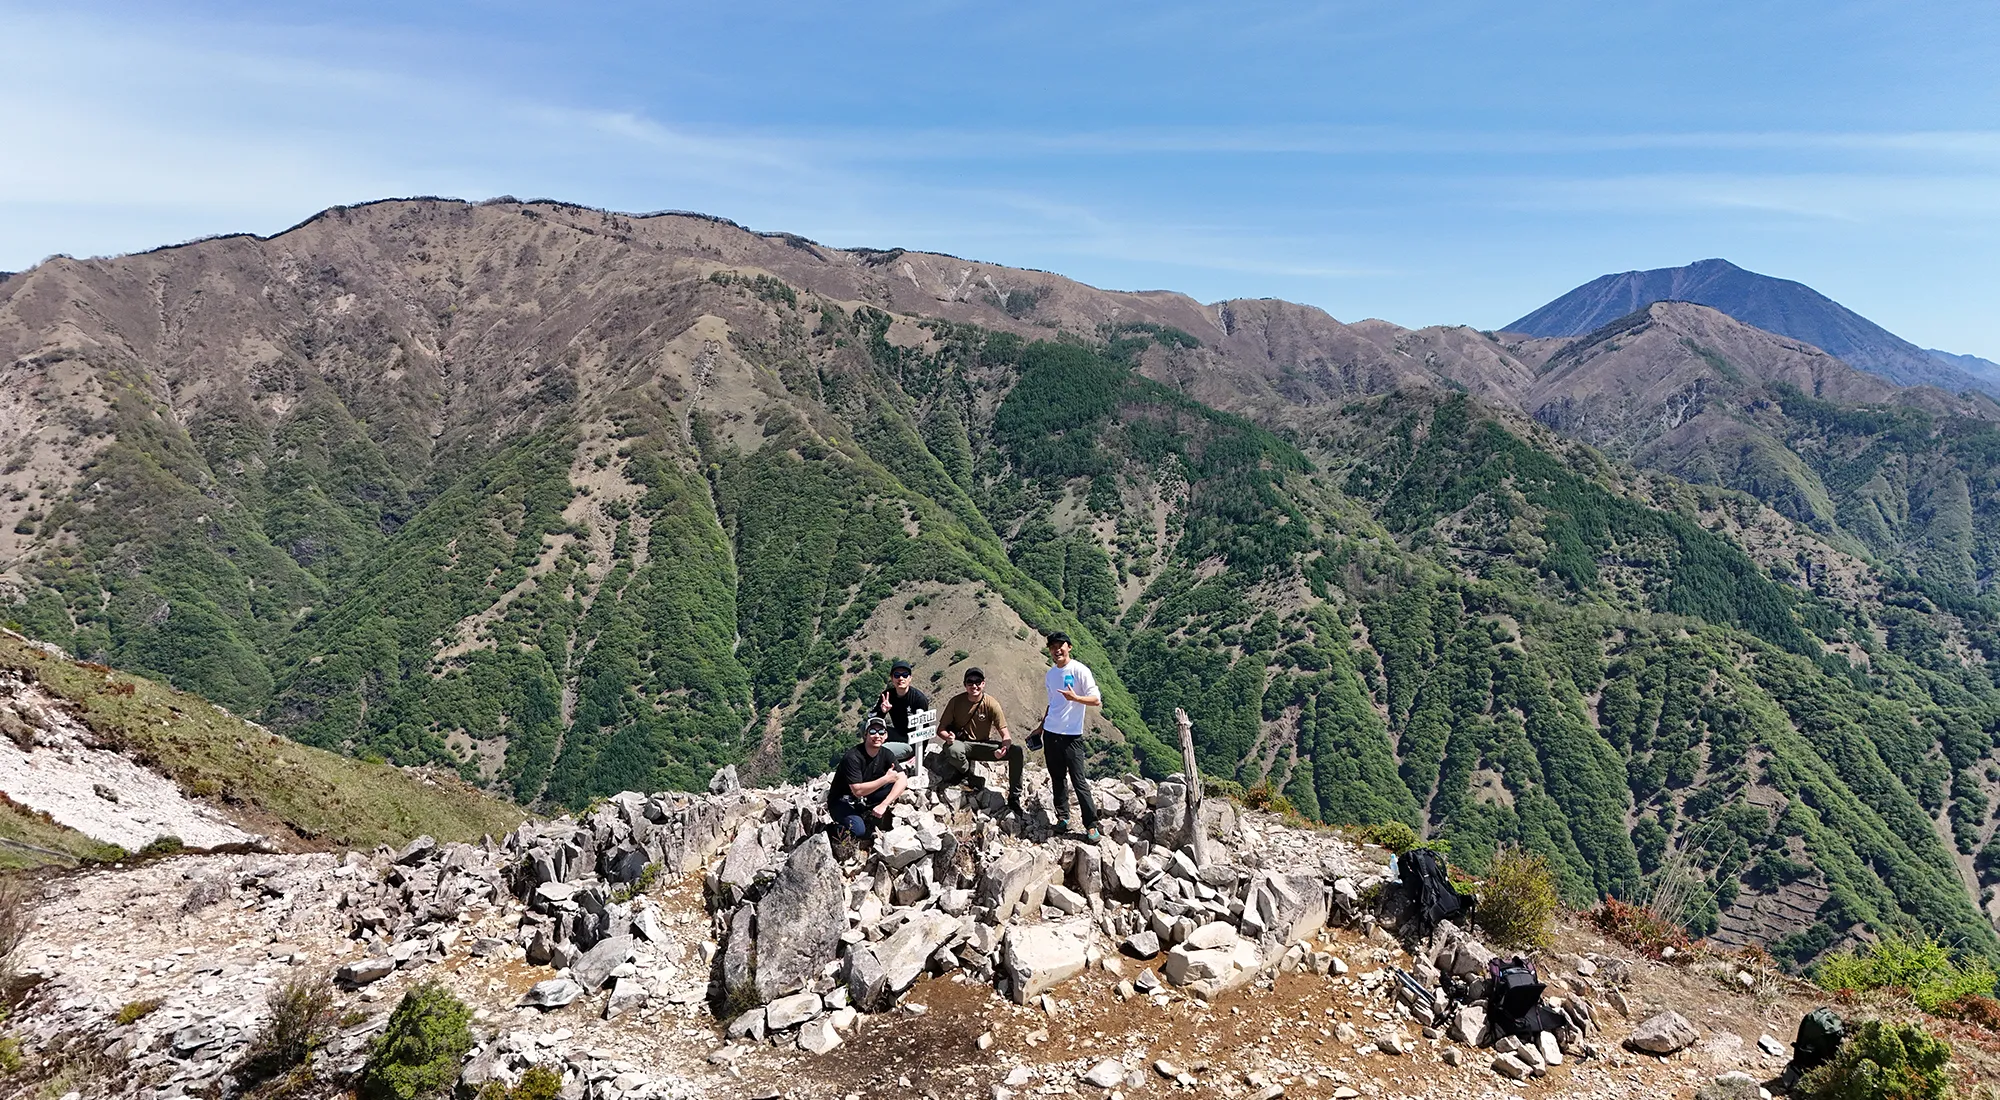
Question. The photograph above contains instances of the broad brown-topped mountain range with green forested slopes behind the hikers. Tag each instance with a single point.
(583, 503)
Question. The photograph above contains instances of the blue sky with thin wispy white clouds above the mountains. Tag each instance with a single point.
(1429, 163)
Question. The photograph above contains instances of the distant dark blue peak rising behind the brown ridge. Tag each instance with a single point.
(1775, 305)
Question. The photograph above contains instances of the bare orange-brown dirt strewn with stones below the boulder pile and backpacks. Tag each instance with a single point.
(1287, 1035)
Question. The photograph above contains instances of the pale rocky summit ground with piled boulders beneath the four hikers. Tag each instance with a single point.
(717, 947)
